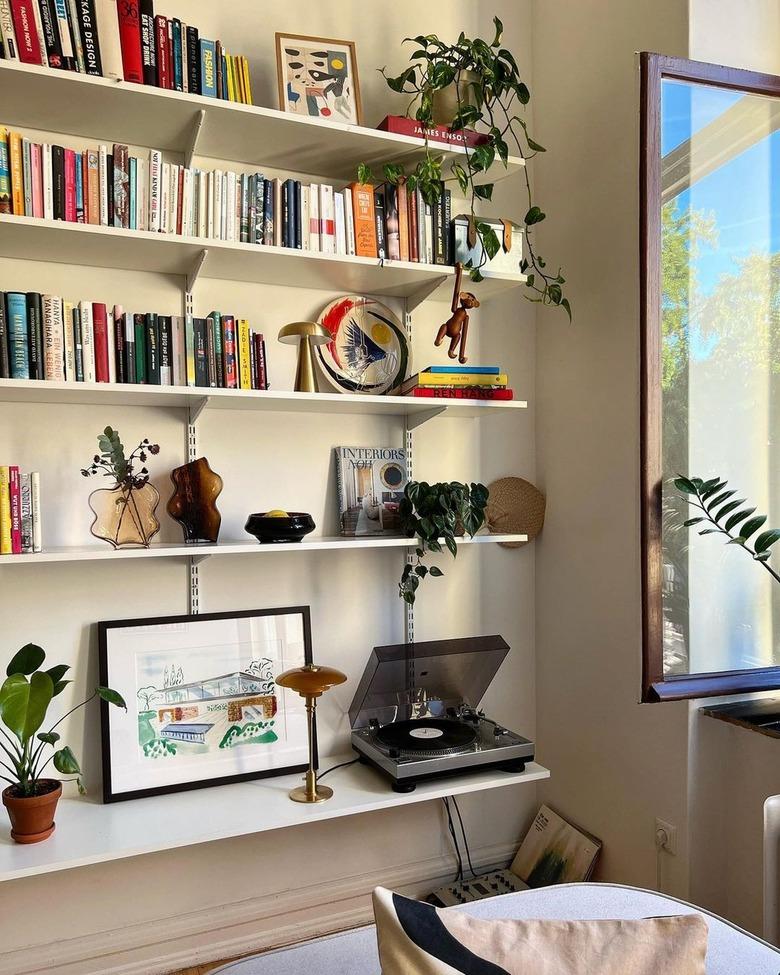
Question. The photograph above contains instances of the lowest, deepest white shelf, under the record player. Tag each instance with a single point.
(88, 832)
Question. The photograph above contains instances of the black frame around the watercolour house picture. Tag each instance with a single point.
(104, 629)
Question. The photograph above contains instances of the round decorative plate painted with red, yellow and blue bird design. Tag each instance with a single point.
(369, 352)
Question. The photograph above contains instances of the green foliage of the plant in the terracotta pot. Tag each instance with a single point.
(25, 696)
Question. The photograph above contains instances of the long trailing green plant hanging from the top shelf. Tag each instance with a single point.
(490, 92)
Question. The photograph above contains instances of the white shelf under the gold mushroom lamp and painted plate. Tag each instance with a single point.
(267, 400)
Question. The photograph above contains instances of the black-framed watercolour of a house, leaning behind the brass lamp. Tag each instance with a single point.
(203, 706)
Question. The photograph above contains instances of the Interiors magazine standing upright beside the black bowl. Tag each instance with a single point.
(371, 482)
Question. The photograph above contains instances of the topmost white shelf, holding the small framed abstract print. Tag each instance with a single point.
(80, 105)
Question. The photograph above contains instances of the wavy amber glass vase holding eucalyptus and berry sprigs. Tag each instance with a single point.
(124, 513)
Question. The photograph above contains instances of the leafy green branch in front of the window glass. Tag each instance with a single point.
(722, 514)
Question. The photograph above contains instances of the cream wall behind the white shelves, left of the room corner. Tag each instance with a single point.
(164, 910)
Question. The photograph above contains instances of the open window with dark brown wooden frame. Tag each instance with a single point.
(710, 212)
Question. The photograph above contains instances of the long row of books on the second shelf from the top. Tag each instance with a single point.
(106, 186)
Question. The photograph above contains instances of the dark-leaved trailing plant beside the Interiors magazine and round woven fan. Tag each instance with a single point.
(437, 513)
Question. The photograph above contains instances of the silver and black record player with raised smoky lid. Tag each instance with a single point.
(414, 715)
